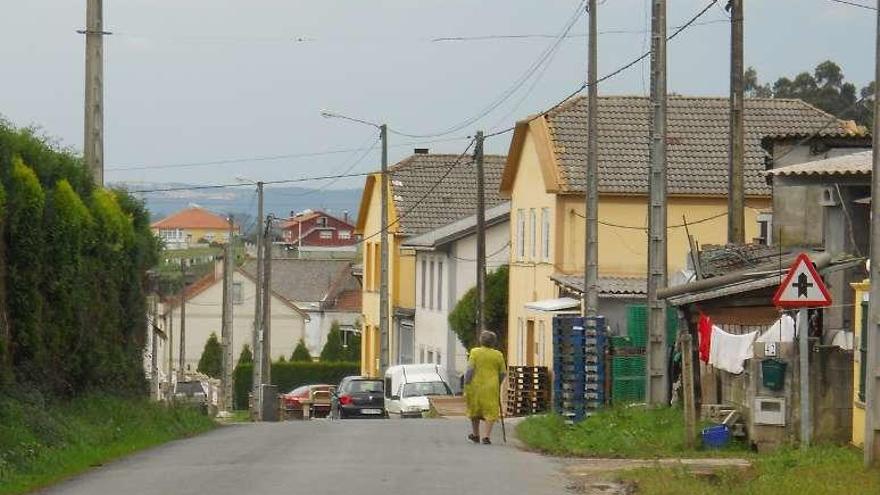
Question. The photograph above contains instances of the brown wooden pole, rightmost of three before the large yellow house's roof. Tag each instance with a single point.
(736, 233)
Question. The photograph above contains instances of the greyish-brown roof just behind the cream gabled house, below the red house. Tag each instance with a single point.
(308, 280)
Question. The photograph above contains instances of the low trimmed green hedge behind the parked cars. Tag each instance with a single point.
(290, 375)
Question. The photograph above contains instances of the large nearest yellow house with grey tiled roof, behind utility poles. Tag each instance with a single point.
(545, 177)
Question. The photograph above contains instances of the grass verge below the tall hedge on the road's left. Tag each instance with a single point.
(42, 443)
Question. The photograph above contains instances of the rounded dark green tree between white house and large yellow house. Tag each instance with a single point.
(463, 318)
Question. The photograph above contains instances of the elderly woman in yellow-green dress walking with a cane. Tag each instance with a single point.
(486, 371)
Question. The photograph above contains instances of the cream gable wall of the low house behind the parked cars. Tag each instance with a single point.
(203, 316)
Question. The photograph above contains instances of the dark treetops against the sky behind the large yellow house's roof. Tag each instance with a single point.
(825, 88)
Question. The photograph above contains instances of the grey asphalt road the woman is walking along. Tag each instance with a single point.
(369, 457)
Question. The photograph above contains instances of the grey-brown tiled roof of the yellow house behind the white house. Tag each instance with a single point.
(454, 198)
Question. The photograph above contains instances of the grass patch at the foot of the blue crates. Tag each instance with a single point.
(637, 432)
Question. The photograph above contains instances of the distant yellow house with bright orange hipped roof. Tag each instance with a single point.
(191, 226)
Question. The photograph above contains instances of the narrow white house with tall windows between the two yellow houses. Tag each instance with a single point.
(446, 269)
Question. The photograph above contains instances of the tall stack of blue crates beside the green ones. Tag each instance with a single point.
(578, 365)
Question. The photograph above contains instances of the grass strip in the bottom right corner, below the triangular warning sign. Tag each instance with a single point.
(818, 470)
